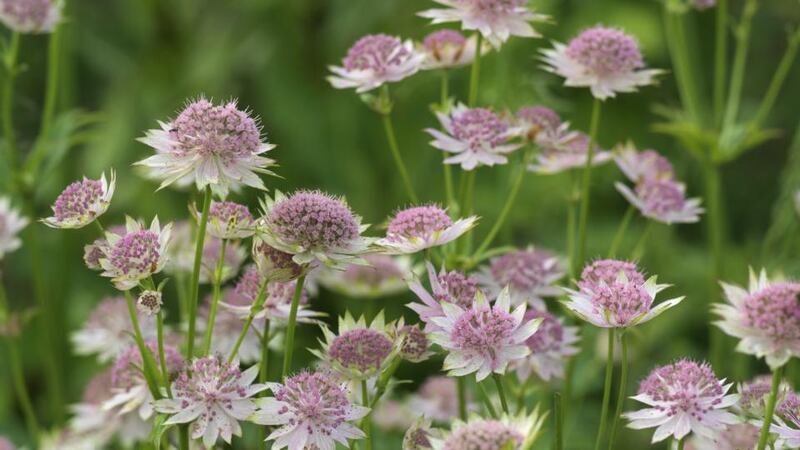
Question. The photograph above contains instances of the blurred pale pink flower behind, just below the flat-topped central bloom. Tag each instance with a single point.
(384, 276)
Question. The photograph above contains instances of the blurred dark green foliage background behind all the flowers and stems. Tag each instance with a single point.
(135, 62)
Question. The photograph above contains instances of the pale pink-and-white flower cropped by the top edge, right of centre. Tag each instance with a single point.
(496, 20)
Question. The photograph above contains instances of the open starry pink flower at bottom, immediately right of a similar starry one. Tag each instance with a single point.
(311, 410)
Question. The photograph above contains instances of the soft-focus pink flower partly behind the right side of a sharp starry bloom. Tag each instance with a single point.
(550, 347)
